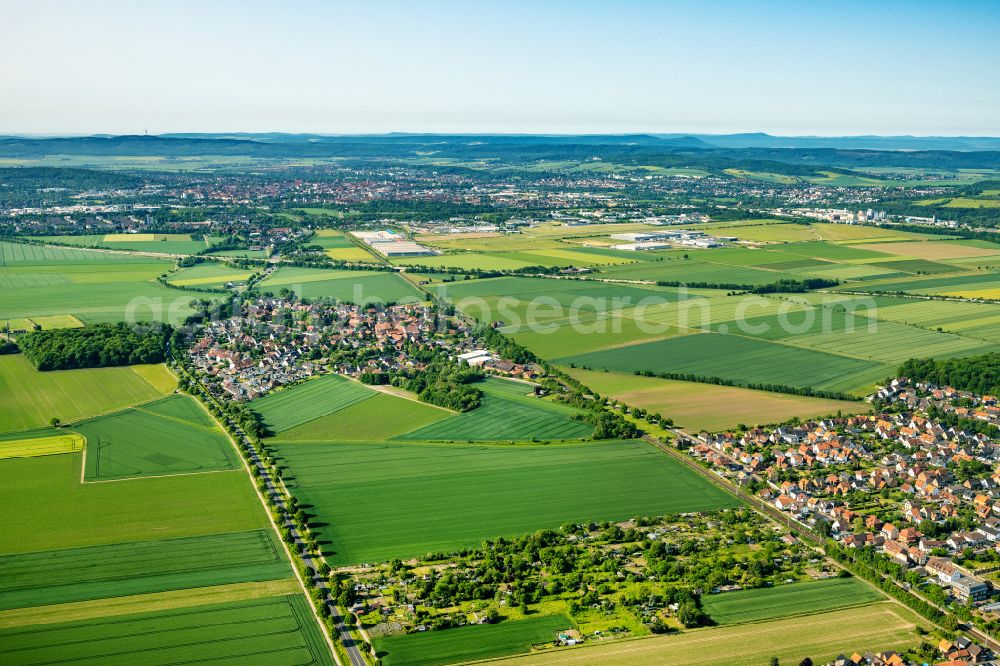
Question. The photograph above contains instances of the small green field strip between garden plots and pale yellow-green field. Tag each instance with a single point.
(790, 599)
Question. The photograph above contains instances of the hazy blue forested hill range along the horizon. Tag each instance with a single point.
(757, 152)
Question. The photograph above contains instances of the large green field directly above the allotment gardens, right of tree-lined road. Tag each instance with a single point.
(373, 502)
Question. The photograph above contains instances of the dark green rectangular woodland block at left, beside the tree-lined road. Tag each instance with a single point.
(96, 346)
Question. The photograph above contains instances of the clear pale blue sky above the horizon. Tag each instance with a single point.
(780, 67)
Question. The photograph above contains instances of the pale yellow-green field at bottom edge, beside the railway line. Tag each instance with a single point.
(823, 636)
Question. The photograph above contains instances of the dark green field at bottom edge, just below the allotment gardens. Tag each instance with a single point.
(480, 641)
